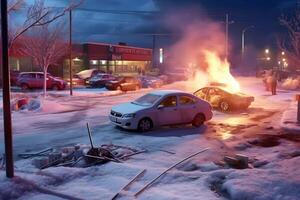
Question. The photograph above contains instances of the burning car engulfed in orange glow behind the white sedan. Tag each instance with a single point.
(223, 100)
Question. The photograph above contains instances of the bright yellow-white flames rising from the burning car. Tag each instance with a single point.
(219, 71)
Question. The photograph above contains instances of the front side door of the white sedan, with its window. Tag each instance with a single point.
(168, 112)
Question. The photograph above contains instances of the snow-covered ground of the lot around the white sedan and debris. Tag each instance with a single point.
(274, 155)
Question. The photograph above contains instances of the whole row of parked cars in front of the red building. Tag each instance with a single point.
(88, 78)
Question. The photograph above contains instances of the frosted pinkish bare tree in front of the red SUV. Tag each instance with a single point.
(46, 46)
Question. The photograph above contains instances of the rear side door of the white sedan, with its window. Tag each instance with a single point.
(187, 108)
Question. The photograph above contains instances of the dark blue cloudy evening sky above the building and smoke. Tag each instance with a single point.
(101, 21)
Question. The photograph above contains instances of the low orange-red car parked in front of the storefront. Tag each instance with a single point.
(125, 83)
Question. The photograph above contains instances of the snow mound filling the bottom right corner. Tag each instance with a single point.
(276, 181)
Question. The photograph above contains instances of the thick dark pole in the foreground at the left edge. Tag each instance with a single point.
(9, 161)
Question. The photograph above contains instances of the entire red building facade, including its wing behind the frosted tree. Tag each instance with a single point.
(109, 58)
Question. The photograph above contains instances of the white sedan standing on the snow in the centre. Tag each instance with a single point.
(161, 107)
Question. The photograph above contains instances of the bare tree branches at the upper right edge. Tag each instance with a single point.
(290, 44)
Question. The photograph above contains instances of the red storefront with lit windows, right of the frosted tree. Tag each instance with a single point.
(108, 58)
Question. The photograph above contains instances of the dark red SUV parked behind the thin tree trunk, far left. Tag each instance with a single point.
(35, 80)
